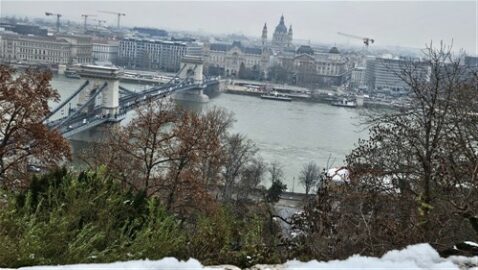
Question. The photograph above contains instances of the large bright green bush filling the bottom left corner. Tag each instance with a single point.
(62, 218)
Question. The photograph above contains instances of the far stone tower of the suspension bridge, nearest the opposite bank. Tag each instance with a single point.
(191, 69)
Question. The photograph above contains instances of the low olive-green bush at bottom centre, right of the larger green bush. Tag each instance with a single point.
(229, 237)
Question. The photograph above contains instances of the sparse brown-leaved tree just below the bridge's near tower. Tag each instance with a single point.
(137, 154)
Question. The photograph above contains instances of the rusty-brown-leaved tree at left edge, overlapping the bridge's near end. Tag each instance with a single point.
(23, 136)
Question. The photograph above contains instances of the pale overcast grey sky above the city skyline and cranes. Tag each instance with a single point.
(405, 23)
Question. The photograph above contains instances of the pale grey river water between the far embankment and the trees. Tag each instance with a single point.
(291, 133)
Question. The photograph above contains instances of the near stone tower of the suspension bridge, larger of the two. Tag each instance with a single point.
(98, 75)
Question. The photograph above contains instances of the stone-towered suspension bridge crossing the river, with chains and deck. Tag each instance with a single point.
(102, 100)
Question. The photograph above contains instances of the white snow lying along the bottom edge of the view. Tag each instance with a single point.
(416, 257)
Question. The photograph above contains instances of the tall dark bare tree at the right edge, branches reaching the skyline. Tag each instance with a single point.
(423, 159)
